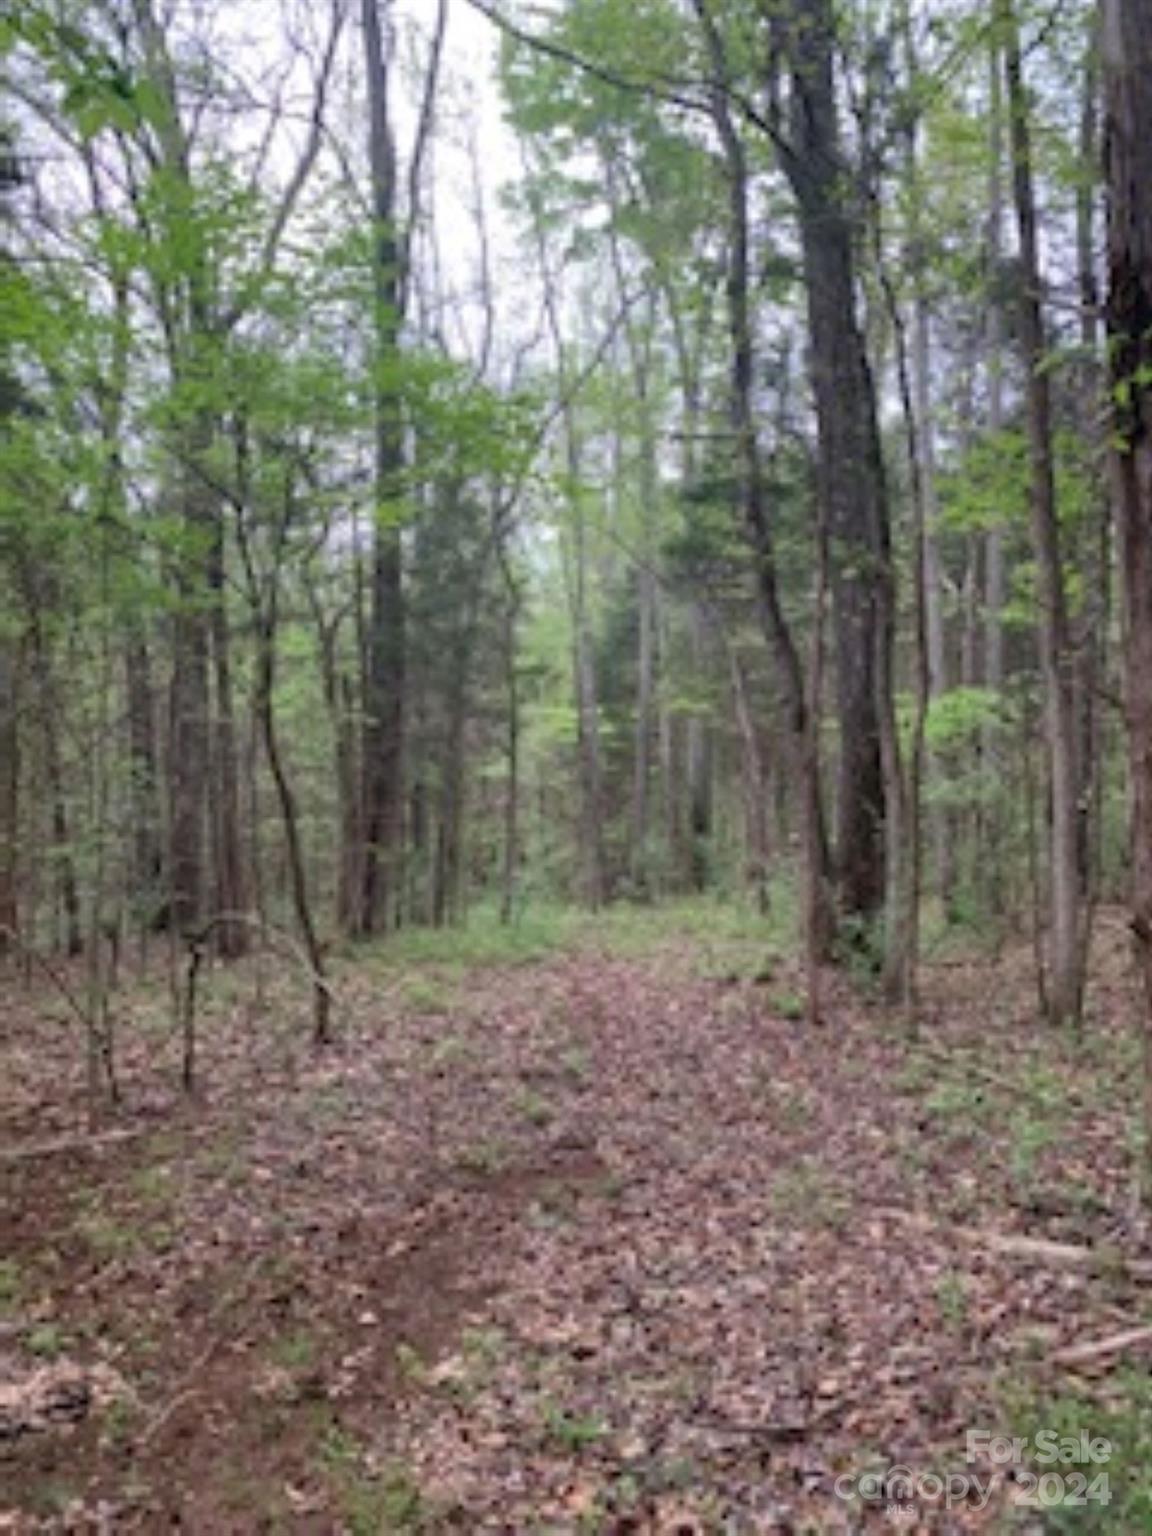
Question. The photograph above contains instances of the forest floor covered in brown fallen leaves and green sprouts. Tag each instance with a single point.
(594, 1239)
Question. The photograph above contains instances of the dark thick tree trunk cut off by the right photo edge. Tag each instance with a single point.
(1127, 53)
